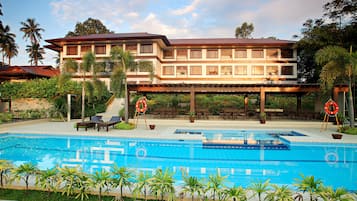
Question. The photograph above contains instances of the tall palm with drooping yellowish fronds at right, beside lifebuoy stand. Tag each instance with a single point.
(338, 63)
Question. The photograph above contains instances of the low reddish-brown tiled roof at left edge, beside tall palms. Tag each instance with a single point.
(42, 71)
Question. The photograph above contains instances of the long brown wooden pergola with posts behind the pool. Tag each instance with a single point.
(262, 89)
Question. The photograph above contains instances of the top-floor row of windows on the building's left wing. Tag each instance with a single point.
(72, 50)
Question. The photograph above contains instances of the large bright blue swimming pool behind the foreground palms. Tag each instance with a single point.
(335, 164)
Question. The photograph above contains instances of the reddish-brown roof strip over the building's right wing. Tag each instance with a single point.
(229, 41)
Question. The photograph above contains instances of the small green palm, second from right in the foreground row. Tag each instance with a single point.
(309, 184)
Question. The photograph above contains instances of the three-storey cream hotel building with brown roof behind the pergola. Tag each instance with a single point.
(211, 60)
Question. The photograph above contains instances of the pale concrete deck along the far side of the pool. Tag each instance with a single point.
(165, 129)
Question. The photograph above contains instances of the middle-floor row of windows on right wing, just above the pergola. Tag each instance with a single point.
(228, 70)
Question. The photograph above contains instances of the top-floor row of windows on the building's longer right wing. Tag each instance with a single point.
(228, 53)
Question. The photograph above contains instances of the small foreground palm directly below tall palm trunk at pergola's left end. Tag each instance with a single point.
(121, 177)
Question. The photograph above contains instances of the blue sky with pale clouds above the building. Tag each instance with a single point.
(173, 18)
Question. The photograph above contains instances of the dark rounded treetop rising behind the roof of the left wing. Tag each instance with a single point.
(90, 26)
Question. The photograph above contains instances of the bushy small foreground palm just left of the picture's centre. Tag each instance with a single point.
(162, 183)
